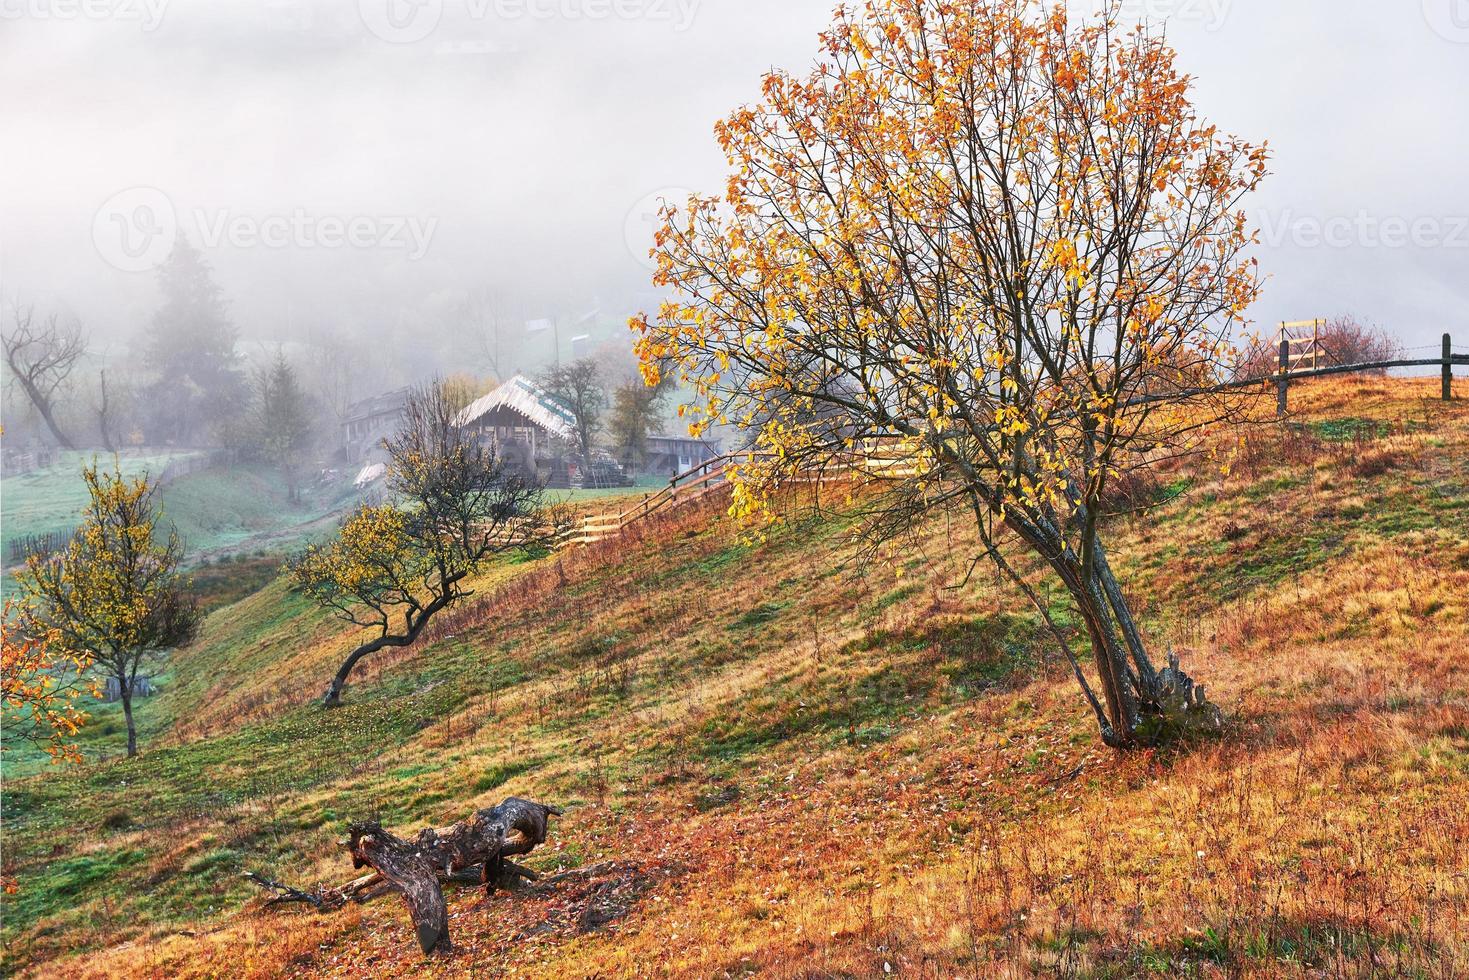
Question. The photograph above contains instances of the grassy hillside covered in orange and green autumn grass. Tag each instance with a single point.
(807, 771)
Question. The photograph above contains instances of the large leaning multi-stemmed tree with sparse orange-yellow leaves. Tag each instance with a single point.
(985, 255)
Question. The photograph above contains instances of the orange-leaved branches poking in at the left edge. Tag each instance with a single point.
(40, 684)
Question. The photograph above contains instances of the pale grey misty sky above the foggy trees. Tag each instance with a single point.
(346, 162)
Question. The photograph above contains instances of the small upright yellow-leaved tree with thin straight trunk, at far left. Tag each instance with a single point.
(114, 597)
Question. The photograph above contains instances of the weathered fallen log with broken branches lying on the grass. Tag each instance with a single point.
(475, 851)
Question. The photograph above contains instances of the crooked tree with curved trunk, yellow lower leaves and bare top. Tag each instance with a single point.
(455, 506)
